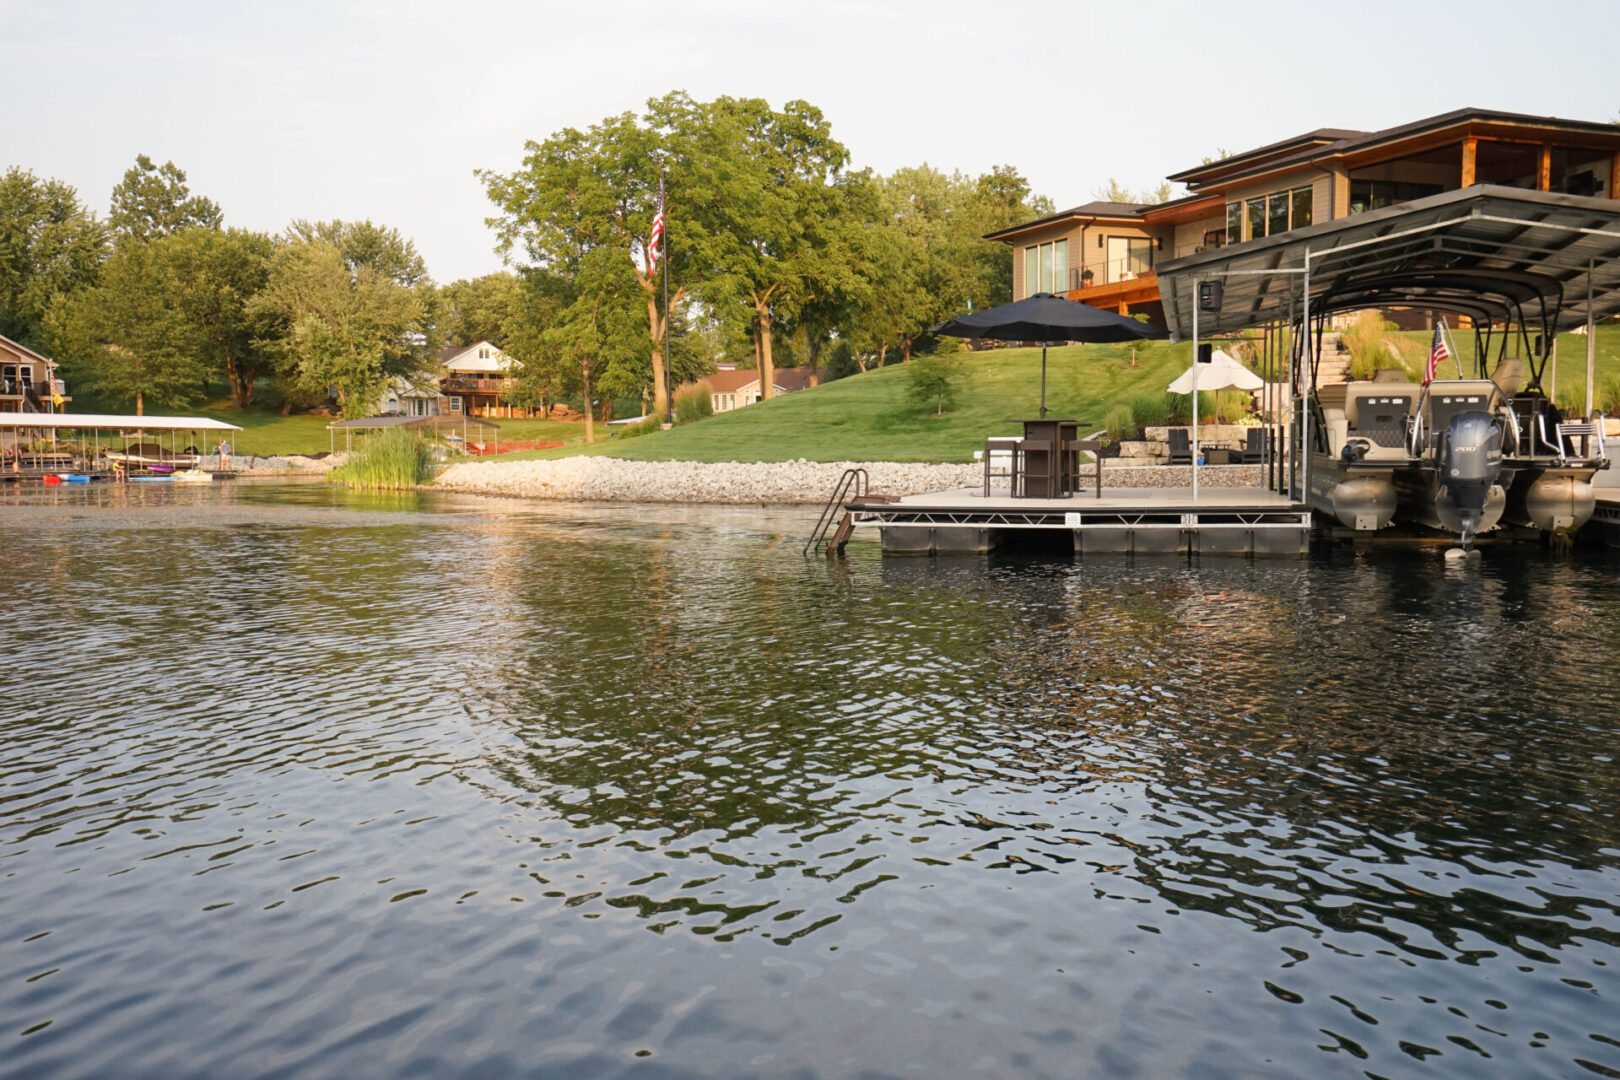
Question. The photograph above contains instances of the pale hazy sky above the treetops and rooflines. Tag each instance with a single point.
(385, 109)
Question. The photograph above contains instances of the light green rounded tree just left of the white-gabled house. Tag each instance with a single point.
(346, 307)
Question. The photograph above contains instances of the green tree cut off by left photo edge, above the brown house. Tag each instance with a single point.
(49, 244)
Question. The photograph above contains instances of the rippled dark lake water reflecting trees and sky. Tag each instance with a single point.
(305, 784)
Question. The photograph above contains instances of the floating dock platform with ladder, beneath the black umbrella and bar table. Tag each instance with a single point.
(1120, 521)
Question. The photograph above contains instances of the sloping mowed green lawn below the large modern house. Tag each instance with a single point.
(869, 417)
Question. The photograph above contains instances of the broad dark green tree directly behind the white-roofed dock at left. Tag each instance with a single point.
(129, 336)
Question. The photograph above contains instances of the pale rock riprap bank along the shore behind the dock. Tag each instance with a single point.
(615, 480)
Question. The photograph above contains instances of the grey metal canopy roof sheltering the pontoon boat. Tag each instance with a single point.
(1501, 255)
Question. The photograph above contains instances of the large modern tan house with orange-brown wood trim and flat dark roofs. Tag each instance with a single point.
(1104, 253)
